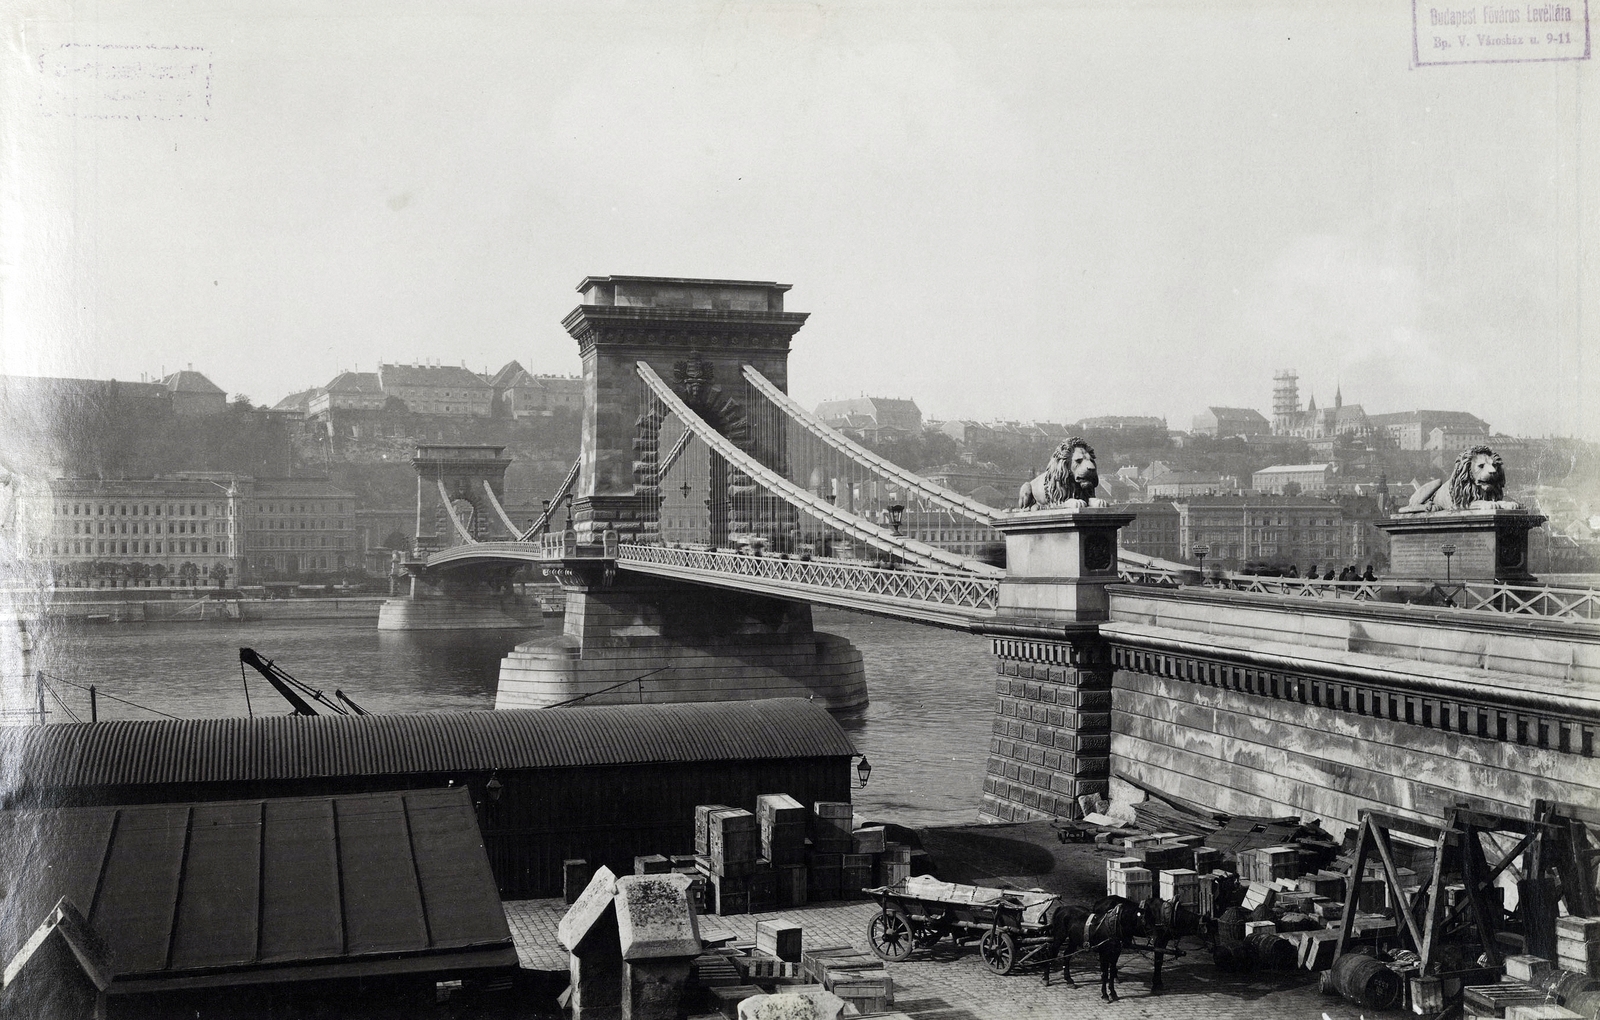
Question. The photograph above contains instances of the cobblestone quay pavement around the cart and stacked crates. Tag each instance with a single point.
(956, 986)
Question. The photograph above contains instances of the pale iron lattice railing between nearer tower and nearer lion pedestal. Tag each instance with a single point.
(834, 575)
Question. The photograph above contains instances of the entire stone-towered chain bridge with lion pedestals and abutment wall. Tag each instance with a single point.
(708, 512)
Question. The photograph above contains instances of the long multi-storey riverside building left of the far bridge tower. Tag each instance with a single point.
(190, 530)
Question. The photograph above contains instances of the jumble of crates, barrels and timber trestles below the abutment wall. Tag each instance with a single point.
(1487, 915)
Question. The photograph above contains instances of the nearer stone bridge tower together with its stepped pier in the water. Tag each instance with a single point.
(689, 642)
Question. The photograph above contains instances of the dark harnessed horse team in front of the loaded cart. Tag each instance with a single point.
(1110, 926)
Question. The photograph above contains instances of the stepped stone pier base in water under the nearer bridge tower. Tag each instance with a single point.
(695, 645)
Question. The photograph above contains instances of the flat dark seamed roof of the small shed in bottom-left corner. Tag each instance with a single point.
(231, 893)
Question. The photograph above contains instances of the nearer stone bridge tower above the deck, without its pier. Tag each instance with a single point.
(698, 335)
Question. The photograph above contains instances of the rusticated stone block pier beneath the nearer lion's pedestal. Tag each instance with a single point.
(1052, 731)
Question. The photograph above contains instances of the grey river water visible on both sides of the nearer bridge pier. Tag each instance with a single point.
(927, 730)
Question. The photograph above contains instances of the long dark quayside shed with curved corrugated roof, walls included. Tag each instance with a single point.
(604, 784)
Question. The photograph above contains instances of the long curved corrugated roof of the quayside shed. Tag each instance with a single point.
(295, 747)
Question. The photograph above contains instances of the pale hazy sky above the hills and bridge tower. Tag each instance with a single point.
(1004, 210)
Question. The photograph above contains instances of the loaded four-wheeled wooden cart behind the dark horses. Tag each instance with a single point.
(1010, 926)
